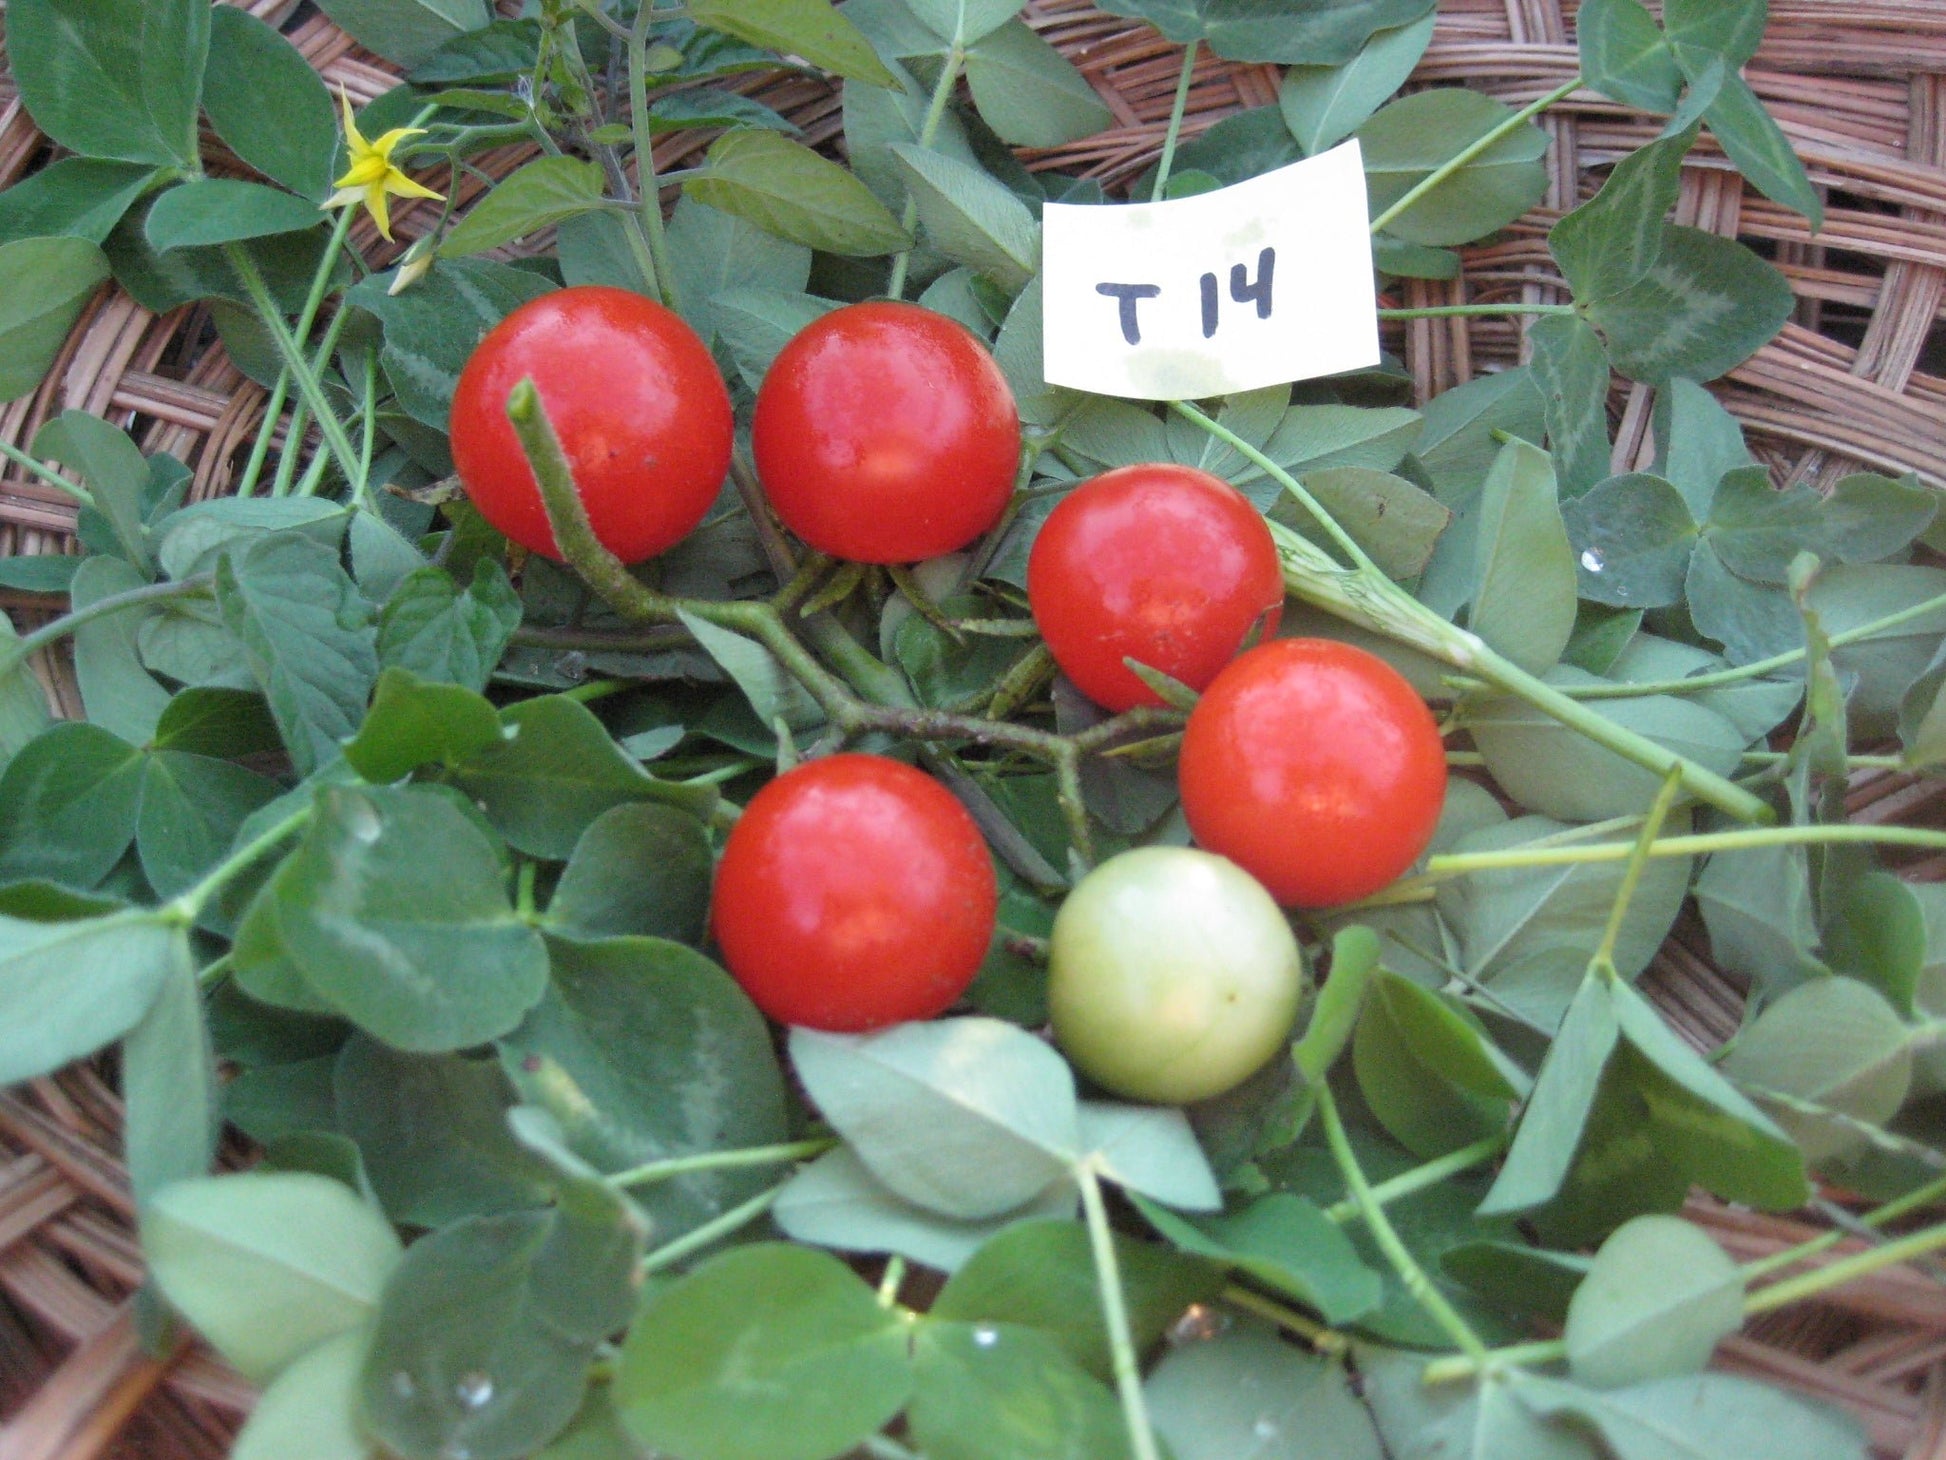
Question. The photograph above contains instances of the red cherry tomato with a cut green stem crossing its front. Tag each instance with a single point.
(635, 400)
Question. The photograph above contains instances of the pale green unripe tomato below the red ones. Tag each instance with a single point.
(1172, 976)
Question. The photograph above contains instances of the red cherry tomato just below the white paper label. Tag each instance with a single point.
(1161, 564)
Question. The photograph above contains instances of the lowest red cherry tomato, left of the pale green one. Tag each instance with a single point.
(855, 893)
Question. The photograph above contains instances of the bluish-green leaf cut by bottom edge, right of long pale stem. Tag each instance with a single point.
(1252, 1397)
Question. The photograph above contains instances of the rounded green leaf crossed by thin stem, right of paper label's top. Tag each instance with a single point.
(1414, 137)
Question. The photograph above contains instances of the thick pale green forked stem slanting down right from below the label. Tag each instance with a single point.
(1367, 597)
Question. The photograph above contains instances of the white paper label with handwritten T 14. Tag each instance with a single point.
(1252, 285)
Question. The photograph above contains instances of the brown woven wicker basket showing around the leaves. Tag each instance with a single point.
(1857, 379)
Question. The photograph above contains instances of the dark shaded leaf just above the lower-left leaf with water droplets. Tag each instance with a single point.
(433, 1134)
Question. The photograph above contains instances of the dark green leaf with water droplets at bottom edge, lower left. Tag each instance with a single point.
(470, 1352)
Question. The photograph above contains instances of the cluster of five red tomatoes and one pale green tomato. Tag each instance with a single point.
(857, 893)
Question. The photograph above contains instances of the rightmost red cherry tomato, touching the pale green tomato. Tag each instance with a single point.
(1316, 768)
